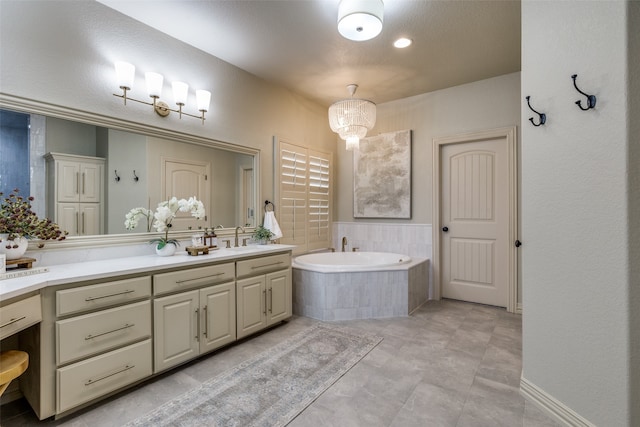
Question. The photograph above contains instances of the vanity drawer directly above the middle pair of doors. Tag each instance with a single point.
(195, 277)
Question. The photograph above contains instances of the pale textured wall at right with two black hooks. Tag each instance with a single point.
(581, 210)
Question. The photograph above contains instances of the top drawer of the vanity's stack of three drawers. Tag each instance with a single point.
(86, 298)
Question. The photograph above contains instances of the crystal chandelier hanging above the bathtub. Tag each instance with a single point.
(352, 118)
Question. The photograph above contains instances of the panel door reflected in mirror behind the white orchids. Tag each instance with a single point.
(183, 179)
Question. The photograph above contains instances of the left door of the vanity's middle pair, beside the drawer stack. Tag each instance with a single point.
(175, 329)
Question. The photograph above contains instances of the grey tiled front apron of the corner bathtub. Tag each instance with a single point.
(390, 292)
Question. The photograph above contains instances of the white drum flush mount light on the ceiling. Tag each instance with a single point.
(360, 20)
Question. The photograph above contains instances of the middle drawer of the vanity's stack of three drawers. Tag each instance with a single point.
(93, 333)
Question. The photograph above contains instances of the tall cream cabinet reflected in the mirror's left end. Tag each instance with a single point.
(74, 192)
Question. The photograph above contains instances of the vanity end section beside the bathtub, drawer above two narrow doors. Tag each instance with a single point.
(263, 292)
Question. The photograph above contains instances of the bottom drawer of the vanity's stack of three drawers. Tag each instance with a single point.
(92, 378)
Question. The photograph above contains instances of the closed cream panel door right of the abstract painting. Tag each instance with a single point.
(475, 221)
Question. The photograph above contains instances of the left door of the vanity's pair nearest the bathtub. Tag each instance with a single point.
(251, 297)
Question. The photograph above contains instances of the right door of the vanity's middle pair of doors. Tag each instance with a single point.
(218, 316)
